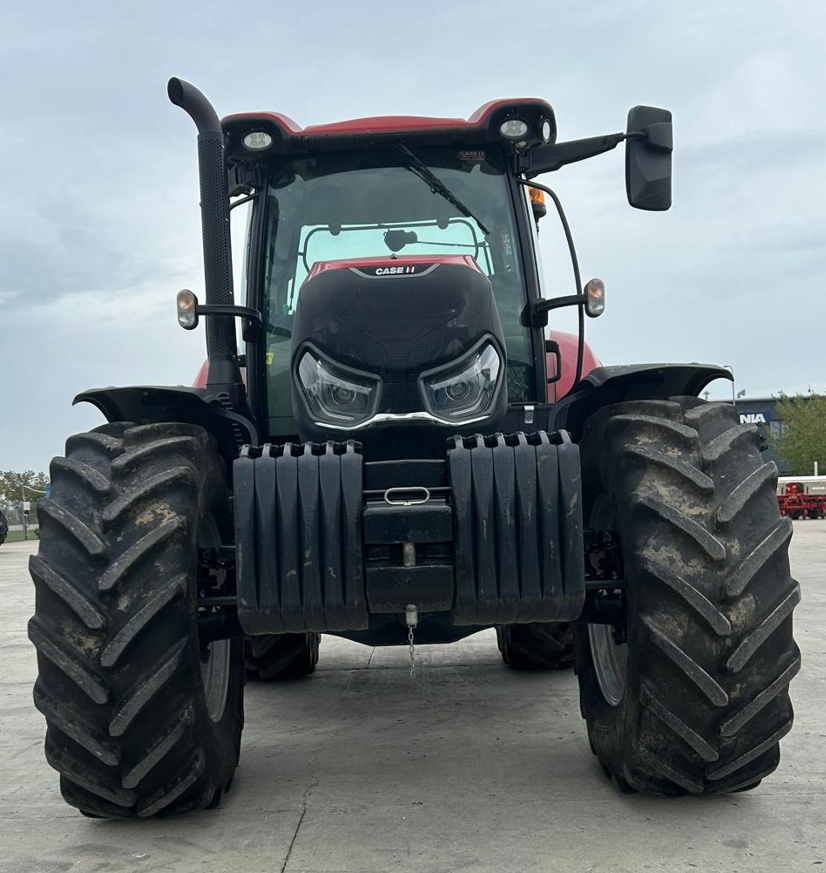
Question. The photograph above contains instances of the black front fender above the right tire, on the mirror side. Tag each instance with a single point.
(604, 386)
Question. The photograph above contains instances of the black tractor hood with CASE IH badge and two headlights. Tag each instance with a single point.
(407, 342)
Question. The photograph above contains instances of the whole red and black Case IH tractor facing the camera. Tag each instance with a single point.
(401, 453)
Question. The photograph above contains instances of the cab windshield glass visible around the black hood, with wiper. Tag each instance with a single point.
(372, 204)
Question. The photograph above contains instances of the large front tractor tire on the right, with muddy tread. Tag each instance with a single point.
(690, 694)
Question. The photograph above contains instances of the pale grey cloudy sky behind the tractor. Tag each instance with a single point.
(100, 225)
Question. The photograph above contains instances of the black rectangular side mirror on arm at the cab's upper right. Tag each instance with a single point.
(648, 150)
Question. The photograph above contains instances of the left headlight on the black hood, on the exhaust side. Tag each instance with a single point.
(334, 394)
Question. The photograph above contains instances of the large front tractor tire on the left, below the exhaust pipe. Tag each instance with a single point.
(142, 718)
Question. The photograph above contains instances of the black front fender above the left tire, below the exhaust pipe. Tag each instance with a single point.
(146, 404)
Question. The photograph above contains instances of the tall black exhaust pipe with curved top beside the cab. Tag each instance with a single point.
(220, 329)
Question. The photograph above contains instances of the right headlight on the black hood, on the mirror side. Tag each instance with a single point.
(463, 391)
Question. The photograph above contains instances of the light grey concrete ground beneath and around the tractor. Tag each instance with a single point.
(472, 767)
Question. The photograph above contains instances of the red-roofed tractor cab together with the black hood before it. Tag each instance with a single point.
(410, 241)
